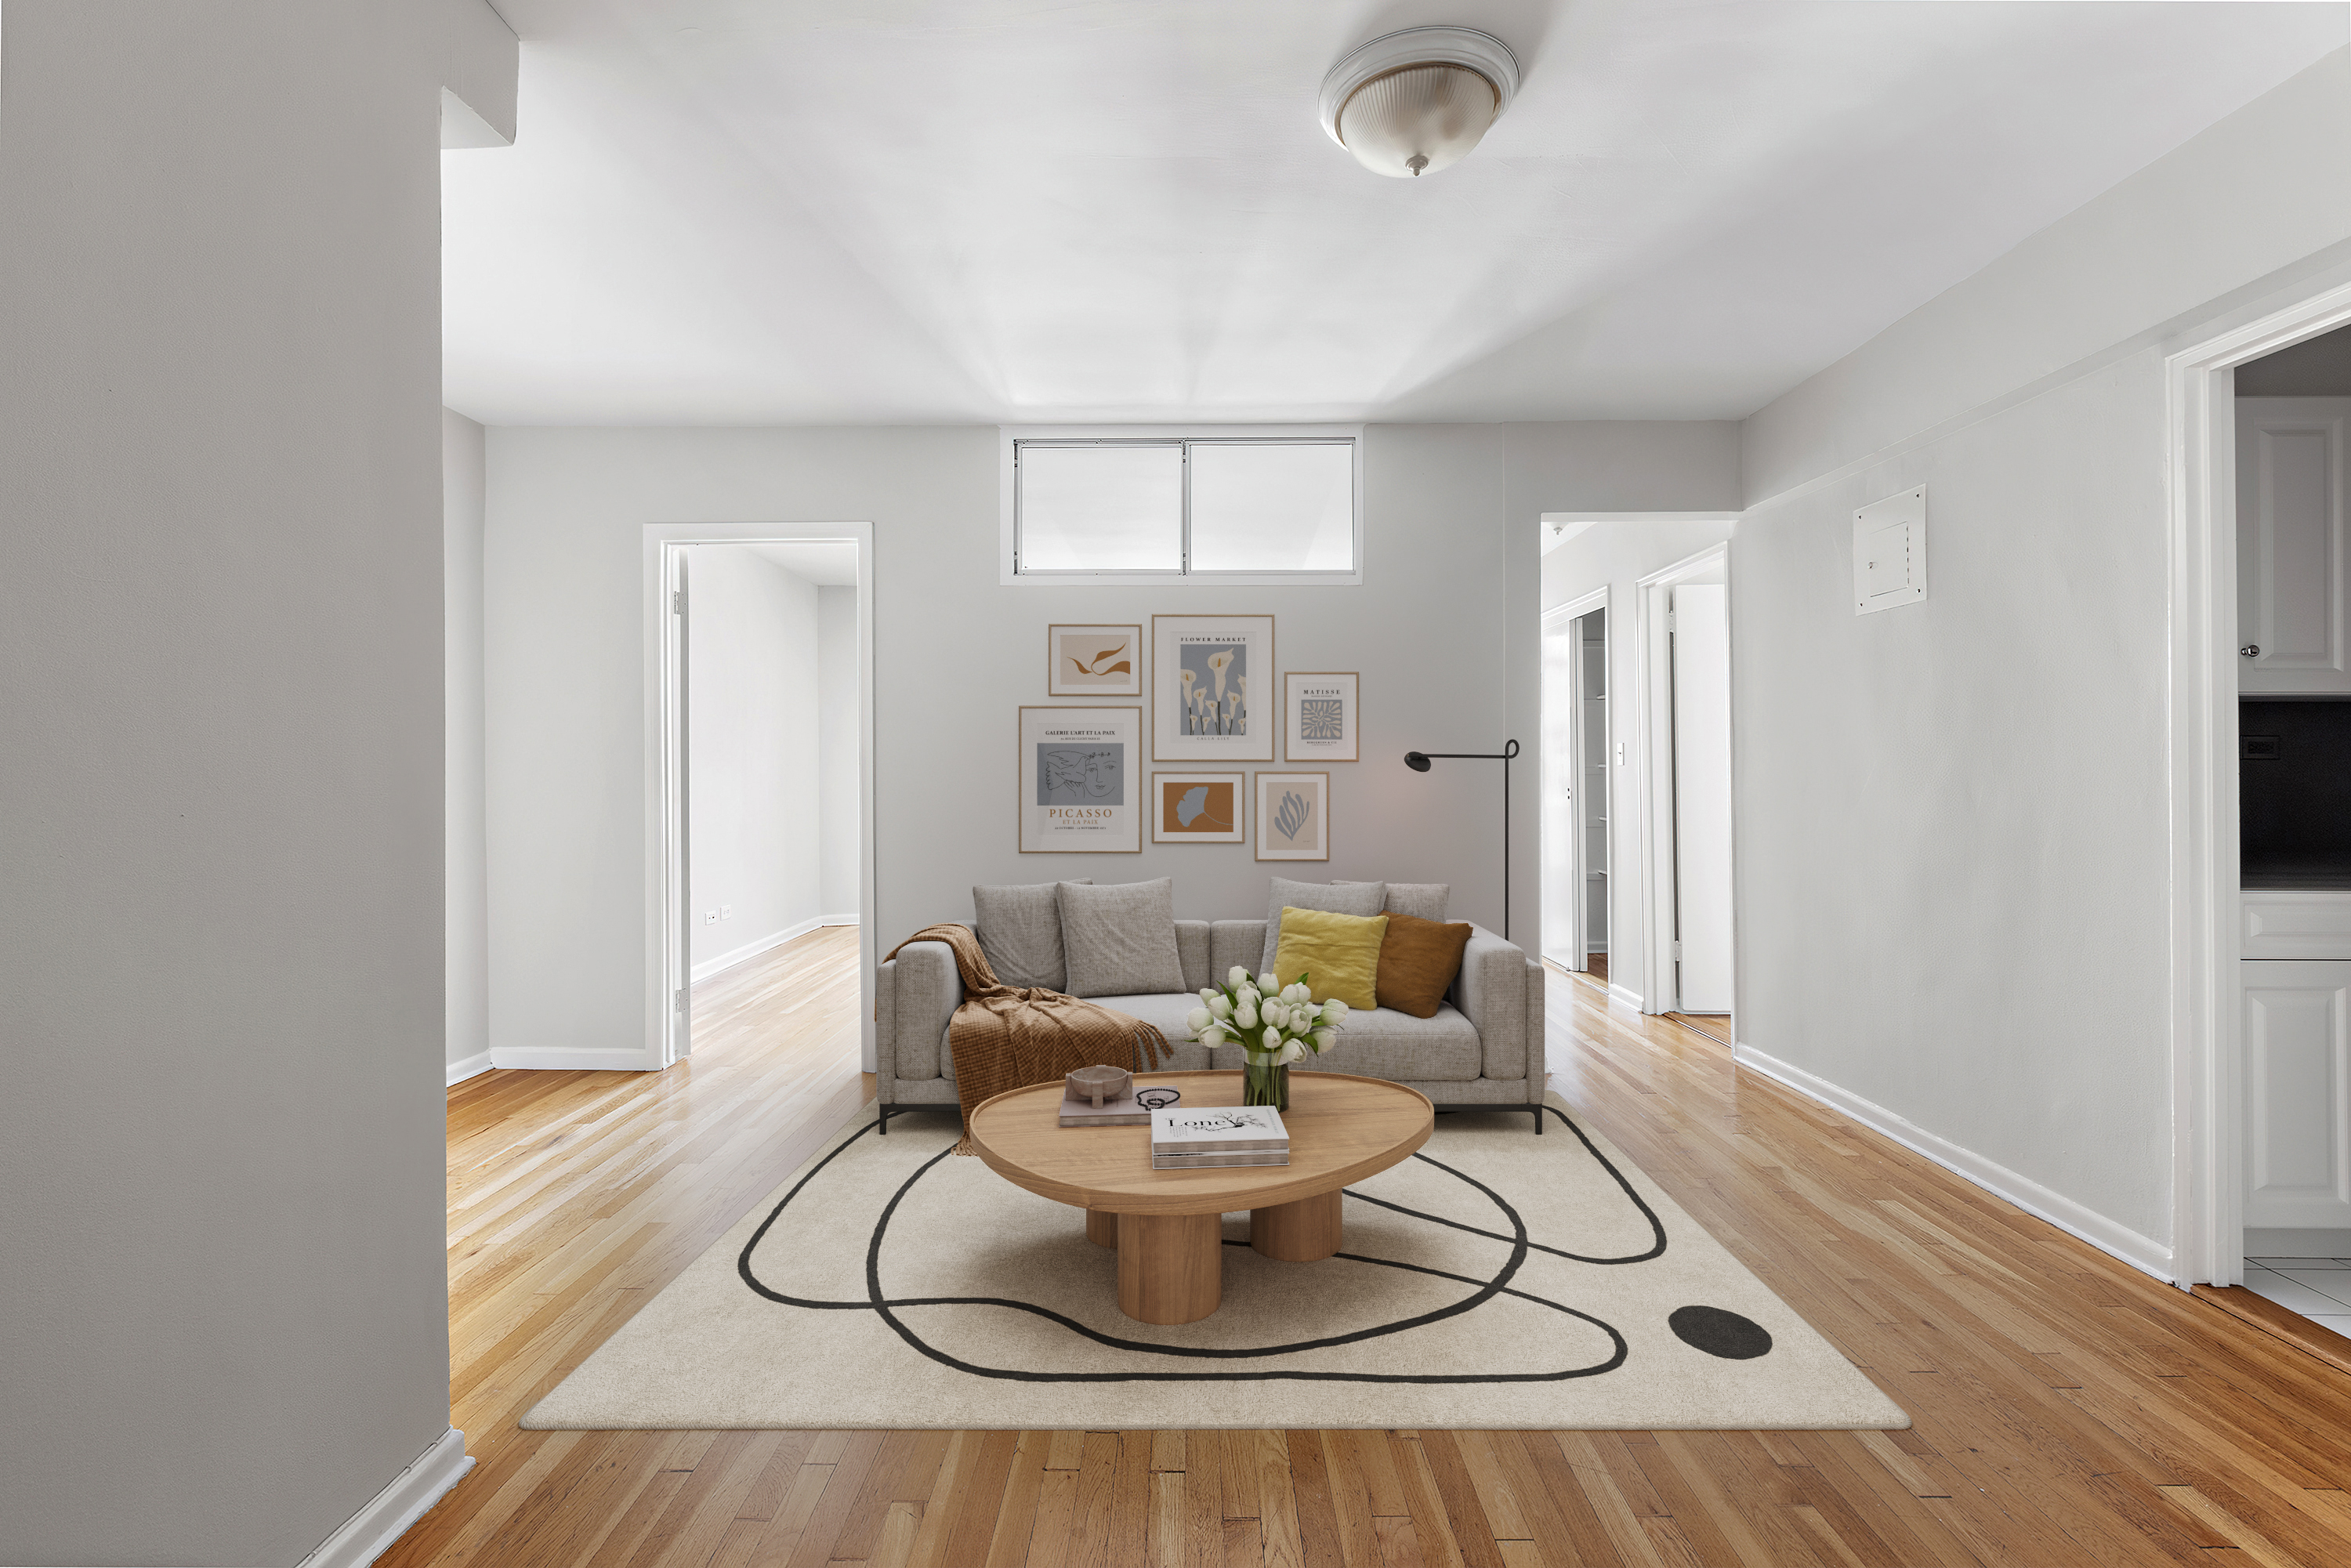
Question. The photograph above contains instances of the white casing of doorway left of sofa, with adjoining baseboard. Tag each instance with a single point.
(664, 897)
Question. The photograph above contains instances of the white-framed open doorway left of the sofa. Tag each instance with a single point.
(761, 657)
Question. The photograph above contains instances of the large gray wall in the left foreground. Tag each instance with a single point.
(222, 1306)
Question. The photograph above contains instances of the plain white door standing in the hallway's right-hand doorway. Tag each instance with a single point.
(1701, 641)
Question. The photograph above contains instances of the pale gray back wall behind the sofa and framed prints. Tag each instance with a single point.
(1449, 598)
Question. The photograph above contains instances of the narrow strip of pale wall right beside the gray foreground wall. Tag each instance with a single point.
(464, 855)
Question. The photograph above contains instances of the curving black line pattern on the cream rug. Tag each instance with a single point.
(1487, 1289)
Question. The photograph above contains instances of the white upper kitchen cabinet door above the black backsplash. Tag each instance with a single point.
(2291, 544)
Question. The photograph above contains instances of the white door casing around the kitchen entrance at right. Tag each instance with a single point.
(2209, 1064)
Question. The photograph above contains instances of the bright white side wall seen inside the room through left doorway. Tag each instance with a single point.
(756, 739)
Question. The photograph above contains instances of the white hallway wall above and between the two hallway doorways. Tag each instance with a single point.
(1619, 556)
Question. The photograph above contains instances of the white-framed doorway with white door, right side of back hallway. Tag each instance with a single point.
(1687, 833)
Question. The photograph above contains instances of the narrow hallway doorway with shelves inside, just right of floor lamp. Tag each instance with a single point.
(1576, 786)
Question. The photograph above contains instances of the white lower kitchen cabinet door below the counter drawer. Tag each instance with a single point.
(2298, 1094)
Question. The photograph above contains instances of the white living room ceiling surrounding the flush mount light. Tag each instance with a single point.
(1106, 210)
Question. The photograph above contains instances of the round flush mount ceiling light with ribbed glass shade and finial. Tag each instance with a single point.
(1416, 102)
